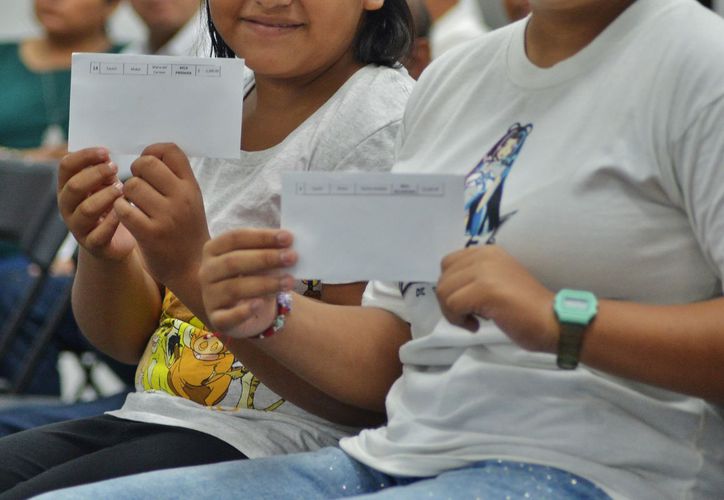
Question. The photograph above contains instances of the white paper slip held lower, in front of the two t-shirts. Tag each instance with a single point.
(362, 226)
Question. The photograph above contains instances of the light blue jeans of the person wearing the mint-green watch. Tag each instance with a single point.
(331, 473)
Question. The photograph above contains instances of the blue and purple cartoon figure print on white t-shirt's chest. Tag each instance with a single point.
(485, 183)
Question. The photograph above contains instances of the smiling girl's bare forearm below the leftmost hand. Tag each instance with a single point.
(116, 304)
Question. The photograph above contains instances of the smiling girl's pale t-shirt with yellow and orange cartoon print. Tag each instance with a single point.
(355, 129)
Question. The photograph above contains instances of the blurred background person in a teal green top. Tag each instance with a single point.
(34, 104)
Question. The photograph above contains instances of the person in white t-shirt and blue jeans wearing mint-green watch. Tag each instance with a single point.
(615, 193)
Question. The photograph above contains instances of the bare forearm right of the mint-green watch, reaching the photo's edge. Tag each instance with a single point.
(679, 347)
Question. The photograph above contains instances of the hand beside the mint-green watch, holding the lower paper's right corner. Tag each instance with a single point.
(487, 282)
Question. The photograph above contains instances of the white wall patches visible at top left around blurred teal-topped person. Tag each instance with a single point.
(17, 21)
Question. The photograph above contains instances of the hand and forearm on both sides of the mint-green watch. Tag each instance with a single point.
(677, 347)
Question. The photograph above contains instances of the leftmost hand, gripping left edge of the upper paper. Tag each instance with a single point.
(88, 187)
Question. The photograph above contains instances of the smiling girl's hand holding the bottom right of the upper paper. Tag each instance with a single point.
(163, 208)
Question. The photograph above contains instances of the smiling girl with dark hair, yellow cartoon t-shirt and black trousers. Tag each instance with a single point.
(326, 94)
